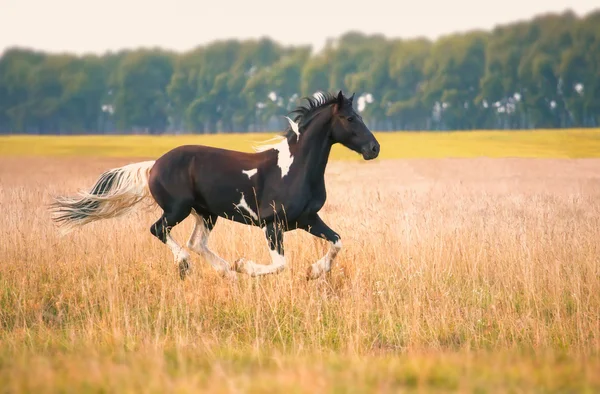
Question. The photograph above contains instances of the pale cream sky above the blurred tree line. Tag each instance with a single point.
(81, 26)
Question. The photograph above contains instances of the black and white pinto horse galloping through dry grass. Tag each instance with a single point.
(279, 187)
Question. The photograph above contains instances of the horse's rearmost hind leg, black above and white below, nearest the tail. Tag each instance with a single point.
(162, 230)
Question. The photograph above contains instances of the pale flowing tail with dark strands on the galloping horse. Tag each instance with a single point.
(114, 194)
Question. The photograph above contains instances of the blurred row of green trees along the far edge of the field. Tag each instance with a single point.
(539, 73)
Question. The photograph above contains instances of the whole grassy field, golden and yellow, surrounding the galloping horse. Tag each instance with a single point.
(459, 273)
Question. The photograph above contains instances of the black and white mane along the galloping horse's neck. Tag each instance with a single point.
(302, 115)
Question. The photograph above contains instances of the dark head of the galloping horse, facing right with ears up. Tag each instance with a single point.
(348, 129)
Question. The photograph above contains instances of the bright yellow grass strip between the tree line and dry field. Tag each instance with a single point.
(540, 143)
